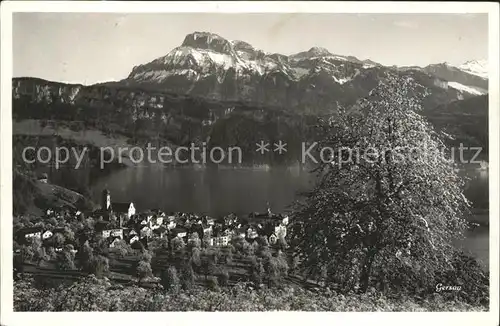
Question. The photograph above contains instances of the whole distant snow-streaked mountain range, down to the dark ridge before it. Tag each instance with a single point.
(316, 80)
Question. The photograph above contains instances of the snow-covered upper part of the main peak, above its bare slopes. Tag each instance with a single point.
(203, 54)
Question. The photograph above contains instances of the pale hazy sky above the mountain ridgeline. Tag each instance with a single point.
(94, 47)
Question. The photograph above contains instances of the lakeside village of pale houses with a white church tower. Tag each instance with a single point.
(119, 222)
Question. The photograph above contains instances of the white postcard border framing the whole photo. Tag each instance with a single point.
(10, 318)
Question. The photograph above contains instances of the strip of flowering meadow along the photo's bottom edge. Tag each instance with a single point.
(92, 294)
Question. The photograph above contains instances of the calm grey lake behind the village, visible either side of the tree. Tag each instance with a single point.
(241, 191)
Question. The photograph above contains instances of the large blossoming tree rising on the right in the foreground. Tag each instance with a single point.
(389, 202)
